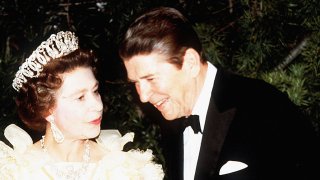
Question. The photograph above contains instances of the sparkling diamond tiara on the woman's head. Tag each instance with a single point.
(56, 46)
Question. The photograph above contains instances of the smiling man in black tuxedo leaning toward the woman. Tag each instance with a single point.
(244, 128)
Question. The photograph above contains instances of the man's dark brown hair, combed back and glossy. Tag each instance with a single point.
(162, 30)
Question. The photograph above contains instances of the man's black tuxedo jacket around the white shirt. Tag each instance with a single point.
(249, 121)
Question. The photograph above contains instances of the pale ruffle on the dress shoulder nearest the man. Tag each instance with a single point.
(134, 164)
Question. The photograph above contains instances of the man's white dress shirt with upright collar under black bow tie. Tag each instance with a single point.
(191, 141)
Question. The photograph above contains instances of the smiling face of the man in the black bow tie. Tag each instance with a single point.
(162, 84)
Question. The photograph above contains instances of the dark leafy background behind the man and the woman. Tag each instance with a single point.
(274, 40)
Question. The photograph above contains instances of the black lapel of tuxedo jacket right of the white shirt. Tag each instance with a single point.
(216, 128)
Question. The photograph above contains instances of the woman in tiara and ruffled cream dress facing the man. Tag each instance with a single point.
(58, 96)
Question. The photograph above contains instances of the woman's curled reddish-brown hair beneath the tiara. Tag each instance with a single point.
(37, 96)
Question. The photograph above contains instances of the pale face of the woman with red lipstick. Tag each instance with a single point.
(78, 110)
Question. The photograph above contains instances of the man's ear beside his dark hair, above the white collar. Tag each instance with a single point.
(192, 62)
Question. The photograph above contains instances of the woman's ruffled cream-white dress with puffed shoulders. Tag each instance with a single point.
(25, 162)
